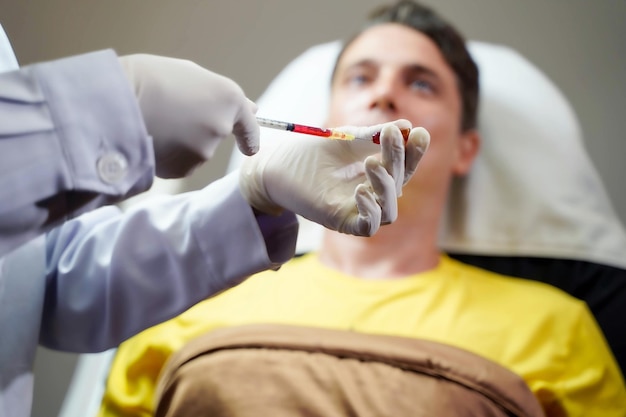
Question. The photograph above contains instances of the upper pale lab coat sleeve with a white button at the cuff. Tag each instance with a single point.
(71, 139)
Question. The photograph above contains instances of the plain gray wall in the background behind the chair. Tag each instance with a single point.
(578, 43)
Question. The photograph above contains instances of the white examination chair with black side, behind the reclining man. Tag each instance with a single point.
(533, 205)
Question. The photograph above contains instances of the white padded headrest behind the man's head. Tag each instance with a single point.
(533, 191)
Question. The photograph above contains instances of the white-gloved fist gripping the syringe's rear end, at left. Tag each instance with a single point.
(188, 110)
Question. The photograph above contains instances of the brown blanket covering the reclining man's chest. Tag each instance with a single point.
(277, 370)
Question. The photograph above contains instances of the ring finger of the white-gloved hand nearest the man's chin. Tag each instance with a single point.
(383, 187)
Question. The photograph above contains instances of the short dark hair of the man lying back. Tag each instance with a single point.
(449, 41)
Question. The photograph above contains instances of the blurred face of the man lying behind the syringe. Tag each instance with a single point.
(390, 72)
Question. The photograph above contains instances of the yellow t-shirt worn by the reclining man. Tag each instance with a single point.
(547, 337)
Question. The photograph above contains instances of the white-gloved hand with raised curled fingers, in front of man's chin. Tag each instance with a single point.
(348, 186)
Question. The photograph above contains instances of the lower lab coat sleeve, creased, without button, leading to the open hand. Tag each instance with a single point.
(111, 275)
